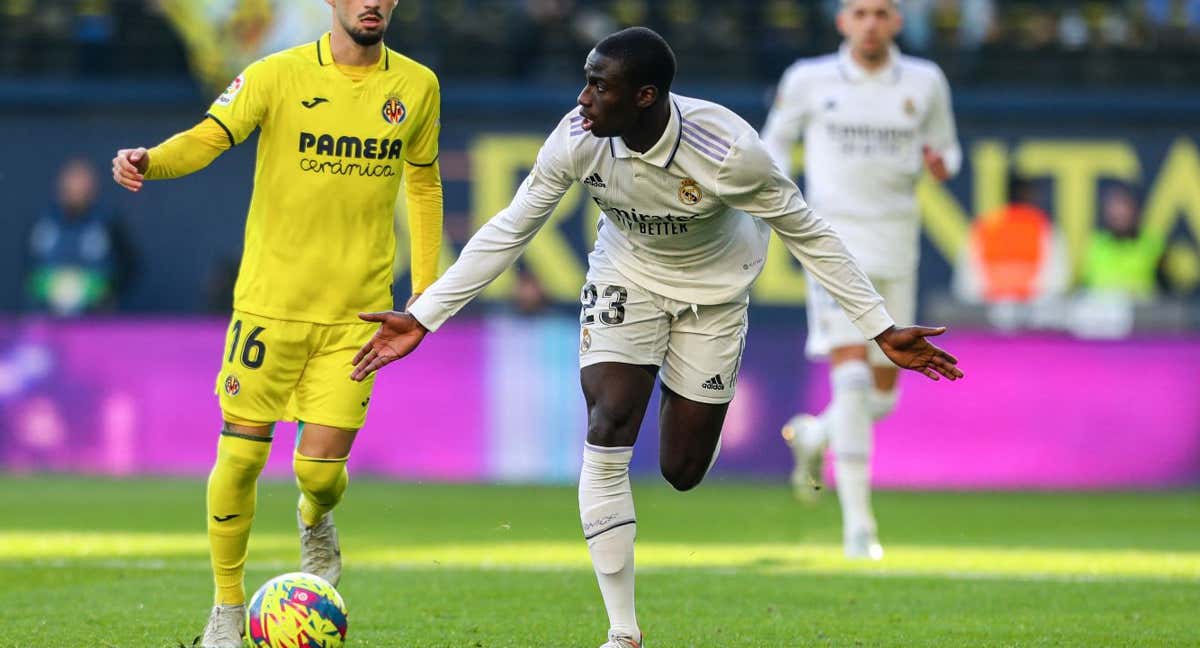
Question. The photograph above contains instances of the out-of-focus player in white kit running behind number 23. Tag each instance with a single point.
(871, 119)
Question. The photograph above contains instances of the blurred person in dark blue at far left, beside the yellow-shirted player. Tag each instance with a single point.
(80, 260)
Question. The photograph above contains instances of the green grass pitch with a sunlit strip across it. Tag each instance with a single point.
(99, 563)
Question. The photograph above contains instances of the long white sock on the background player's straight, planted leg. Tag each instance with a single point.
(851, 435)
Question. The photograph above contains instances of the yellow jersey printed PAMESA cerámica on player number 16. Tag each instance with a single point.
(320, 241)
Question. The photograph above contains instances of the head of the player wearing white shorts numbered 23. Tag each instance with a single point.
(628, 73)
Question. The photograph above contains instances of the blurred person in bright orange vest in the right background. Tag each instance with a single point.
(1013, 254)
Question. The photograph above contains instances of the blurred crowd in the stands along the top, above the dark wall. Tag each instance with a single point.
(1105, 41)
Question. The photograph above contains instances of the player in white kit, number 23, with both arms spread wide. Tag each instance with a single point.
(688, 195)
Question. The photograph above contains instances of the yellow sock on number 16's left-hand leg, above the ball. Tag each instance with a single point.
(233, 490)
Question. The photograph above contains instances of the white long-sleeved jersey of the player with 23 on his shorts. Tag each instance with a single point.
(677, 220)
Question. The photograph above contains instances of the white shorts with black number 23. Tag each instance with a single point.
(698, 349)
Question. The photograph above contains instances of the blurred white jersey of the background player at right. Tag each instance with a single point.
(863, 137)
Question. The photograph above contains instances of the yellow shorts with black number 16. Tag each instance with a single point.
(277, 370)
